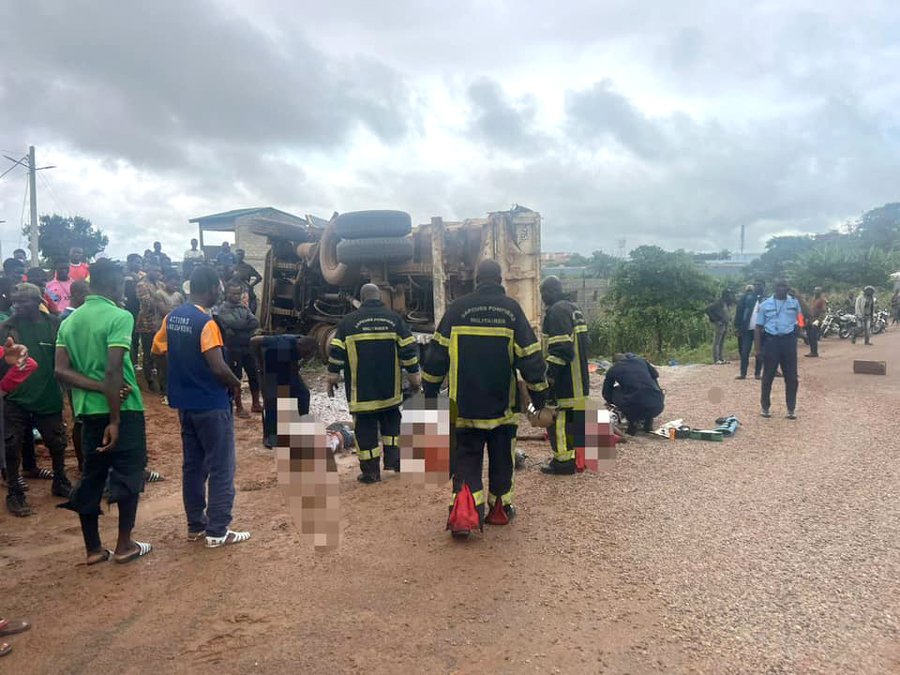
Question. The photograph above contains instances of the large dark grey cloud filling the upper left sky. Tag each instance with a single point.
(145, 83)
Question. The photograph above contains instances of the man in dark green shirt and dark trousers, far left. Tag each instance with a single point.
(38, 402)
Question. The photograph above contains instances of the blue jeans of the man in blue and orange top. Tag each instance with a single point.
(207, 437)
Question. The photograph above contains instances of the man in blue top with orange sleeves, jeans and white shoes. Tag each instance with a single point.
(201, 388)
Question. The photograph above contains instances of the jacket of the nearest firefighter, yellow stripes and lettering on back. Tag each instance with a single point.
(482, 339)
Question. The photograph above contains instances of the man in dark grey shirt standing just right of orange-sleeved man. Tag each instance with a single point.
(238, 326)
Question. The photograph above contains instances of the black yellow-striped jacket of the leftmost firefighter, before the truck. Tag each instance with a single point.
(370, 346)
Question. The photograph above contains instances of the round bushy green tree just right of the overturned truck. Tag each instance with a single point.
(662, 291)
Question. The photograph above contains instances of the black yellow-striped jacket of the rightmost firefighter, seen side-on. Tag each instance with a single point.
(566, 345)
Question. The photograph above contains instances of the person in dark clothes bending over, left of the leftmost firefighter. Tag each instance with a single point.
(279, 358)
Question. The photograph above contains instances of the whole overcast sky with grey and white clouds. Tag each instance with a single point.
(655, 122)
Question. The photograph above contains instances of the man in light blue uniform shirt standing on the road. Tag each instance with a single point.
(776, 342)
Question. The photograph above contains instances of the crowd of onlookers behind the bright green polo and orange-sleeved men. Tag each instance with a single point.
(33, 304)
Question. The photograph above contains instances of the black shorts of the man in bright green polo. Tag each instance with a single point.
(123, 466)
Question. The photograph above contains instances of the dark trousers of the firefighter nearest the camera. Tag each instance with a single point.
(468, 463)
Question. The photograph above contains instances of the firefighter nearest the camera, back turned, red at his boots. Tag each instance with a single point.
(482, 339)
